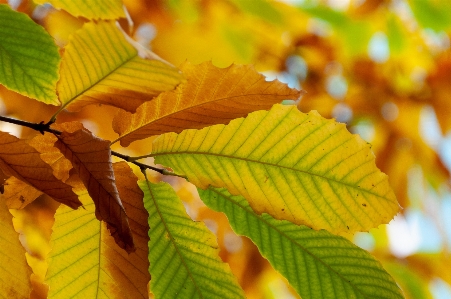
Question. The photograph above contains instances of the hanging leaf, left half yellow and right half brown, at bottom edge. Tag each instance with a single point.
(85, 262)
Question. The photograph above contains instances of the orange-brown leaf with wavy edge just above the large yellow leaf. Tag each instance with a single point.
(210, 96)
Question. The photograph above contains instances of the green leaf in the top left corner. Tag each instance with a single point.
(29, 58)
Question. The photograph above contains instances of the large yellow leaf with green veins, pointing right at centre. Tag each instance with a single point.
(293, 166)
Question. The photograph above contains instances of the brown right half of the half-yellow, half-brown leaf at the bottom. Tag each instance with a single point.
(136, 264)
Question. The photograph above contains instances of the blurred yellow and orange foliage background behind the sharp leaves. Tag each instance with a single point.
(383, 67)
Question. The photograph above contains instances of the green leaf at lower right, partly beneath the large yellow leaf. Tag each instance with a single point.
(317, 264)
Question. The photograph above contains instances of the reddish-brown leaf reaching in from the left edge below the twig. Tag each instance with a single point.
(19, 159)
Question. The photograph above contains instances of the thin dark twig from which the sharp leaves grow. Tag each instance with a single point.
(41, 127)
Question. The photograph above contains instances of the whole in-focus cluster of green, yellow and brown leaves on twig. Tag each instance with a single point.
(291, 182)
